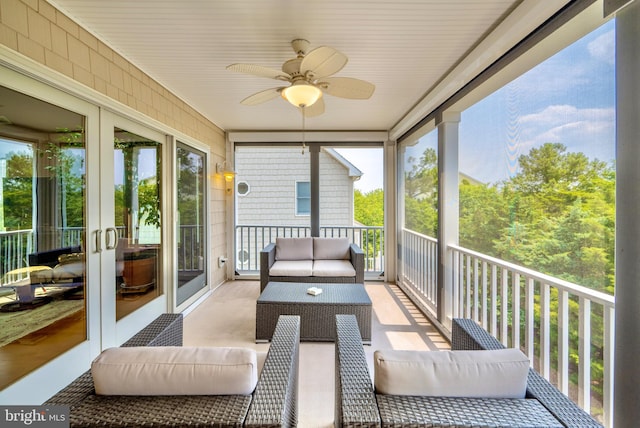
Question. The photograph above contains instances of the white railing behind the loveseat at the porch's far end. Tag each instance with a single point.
(251, 239)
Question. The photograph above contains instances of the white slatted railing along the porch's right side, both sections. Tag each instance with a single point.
(566, 330)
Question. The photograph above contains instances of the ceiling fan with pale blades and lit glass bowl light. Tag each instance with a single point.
(308, 76)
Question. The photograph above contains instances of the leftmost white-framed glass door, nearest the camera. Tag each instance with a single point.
(50, 305)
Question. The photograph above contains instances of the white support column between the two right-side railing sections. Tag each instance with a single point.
(448, 208)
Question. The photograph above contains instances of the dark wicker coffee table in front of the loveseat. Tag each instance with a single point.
(317, 313)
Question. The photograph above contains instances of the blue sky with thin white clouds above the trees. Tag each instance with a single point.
(568, 99)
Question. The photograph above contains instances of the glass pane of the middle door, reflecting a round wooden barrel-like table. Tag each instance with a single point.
(137, 191)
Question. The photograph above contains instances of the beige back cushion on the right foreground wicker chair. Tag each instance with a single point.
(491, 374)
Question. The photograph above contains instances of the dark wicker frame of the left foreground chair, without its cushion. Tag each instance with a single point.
(272, 404)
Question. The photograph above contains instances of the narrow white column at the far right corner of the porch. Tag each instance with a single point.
(390, 211)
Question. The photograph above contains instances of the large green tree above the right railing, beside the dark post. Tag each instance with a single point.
(565, 204)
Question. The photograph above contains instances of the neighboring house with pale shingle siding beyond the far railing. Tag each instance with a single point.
(272, 188)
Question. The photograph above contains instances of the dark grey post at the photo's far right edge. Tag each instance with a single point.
(627, 298)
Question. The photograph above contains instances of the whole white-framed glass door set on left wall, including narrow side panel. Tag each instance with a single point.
(86, 254)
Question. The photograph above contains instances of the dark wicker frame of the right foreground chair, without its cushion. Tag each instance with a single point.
(358, 405)
